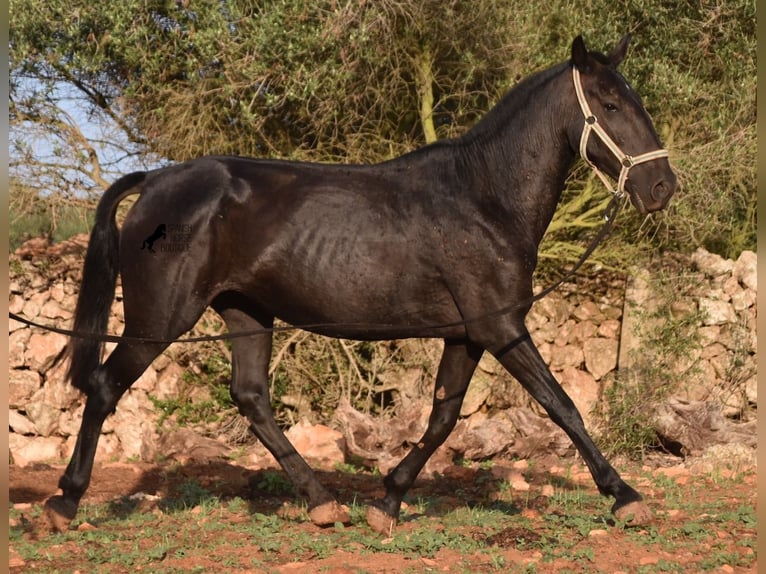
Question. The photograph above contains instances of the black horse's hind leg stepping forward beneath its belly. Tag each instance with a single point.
(250, 392)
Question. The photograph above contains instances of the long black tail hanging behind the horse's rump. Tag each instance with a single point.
(99, 279)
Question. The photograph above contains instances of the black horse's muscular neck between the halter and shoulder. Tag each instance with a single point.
(520, 153)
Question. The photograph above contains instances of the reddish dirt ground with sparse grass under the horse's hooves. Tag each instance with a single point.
(696, 527)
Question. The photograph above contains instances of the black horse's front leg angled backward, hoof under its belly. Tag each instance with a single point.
(457, 365)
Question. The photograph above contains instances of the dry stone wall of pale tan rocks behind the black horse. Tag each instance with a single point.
(584, 335)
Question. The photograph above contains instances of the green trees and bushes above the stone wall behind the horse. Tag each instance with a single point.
(311, 80)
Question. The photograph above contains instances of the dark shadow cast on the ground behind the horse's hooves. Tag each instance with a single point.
(173, 487)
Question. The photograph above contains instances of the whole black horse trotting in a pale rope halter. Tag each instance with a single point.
(430, 244)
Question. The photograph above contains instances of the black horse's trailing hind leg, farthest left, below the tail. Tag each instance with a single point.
(108, 383)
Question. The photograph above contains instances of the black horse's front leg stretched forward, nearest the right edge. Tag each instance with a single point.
(523, 361)
